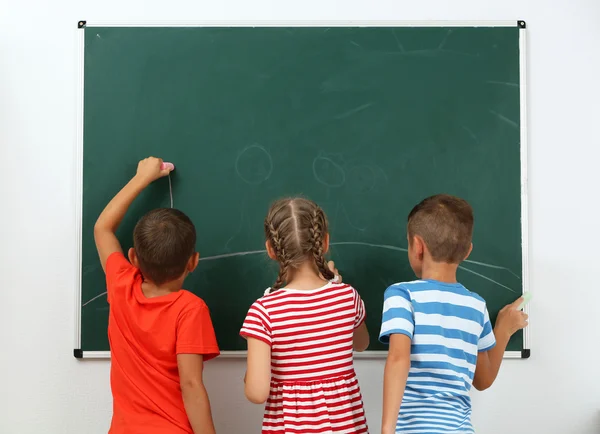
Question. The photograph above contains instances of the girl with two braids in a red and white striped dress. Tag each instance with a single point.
(302, 333)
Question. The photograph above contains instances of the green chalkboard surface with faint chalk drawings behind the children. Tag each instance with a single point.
(365, 121)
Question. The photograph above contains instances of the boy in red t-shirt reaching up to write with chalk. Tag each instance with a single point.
(160, 335)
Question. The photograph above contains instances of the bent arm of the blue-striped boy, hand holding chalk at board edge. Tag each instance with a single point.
(509, 321)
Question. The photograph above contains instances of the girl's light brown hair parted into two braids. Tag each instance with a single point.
(295, 227)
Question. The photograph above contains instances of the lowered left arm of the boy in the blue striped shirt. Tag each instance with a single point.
(394, 380)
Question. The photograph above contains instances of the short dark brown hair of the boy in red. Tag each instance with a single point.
(164, 241)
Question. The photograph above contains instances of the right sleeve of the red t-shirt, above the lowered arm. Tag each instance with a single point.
(195, 333)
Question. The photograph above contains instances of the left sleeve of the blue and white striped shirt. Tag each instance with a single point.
(398, 314)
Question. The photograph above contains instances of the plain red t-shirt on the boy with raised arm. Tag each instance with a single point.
(145, 335)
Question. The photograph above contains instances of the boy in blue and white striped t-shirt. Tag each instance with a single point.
(439, 333)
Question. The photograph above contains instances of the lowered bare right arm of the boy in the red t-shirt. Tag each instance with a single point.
(195, 398)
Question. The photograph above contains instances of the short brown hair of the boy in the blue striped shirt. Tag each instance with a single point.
(446, 225)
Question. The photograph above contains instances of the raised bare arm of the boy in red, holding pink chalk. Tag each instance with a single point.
(108, 222)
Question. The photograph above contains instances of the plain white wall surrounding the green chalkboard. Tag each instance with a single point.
(43, 389)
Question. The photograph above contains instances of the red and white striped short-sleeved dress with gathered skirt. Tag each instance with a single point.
(314, 388)
